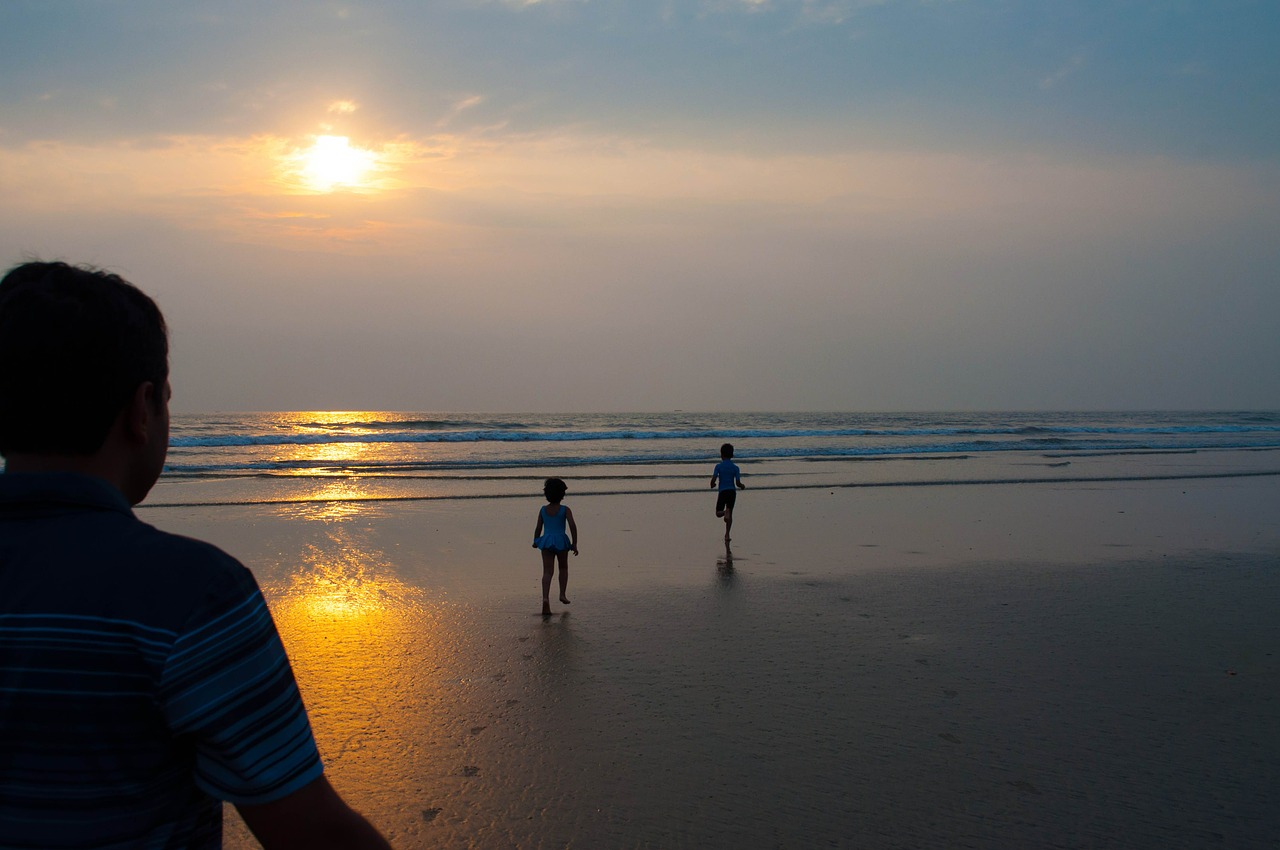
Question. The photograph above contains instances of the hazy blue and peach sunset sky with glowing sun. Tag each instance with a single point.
(643, 205)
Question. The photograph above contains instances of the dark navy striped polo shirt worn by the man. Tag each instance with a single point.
(141, 678)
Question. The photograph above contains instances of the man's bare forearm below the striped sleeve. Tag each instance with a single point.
(312, 819)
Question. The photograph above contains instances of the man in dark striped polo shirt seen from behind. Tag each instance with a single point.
(141, 677)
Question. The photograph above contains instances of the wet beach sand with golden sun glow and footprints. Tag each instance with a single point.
(966, 666)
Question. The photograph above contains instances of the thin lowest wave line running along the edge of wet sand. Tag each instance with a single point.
(847, 486)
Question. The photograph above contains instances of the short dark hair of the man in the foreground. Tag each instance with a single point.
(75, 346)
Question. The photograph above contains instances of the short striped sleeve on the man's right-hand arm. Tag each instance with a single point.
(228, 686)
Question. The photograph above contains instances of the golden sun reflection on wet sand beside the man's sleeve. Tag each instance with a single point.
(368, 651)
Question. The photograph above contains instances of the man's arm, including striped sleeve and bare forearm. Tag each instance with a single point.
(226, 665)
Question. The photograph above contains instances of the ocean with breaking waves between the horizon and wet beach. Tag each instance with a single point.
(301, 458)
